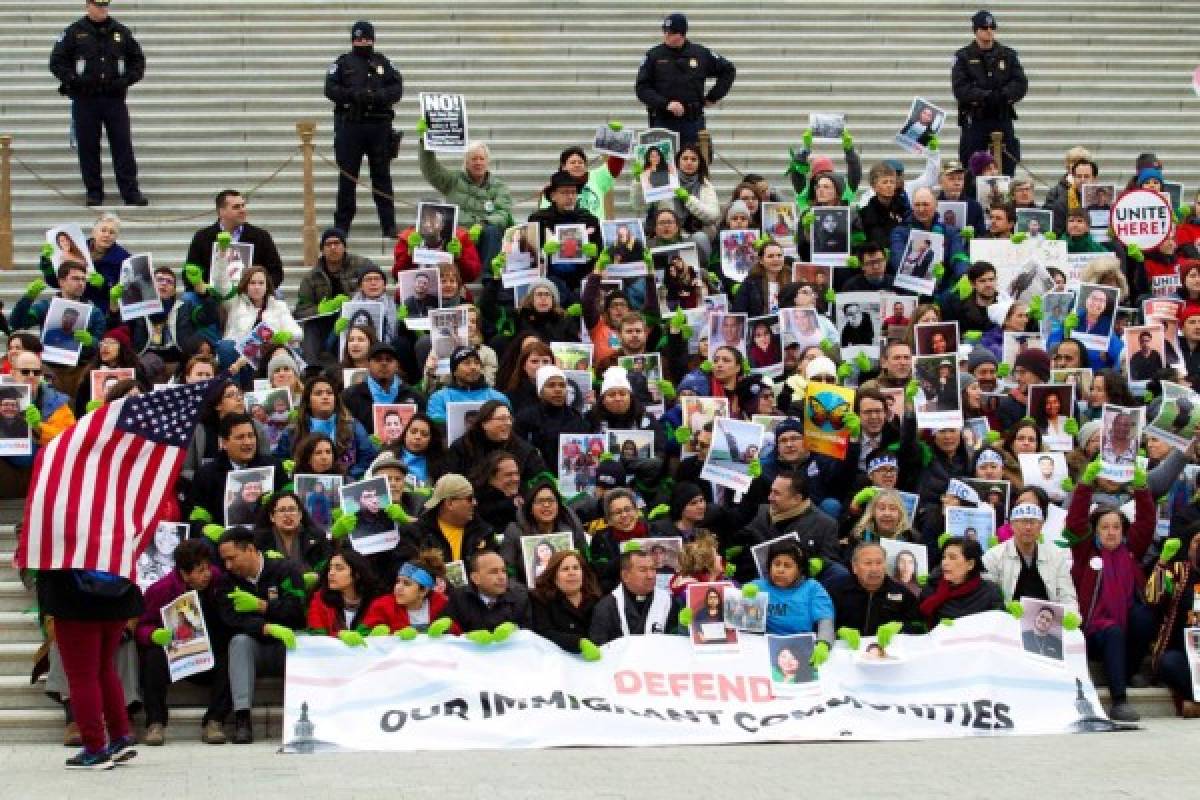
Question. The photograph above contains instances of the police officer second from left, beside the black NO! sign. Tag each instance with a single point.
(364, 87)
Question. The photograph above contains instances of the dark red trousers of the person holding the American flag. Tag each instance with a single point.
(98, 700)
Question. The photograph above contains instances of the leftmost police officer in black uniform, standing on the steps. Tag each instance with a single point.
(97, 61)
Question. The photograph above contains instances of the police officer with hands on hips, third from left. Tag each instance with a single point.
(671, 81)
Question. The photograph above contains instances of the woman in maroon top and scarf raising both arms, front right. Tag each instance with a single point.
(1108, 552)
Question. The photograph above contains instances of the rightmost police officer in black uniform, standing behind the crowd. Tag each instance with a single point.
(988, 82)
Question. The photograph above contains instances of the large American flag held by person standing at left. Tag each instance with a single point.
(99, 488)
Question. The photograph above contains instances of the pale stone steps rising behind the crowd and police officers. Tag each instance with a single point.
(229, 80)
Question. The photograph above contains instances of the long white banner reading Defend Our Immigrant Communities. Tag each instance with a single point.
(449, 694)
